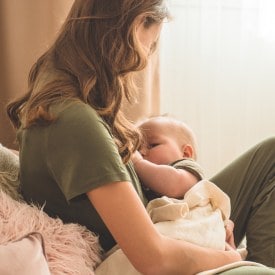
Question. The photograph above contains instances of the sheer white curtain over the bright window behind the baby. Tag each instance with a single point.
(218, 74)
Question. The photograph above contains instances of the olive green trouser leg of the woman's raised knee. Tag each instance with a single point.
(250, 183)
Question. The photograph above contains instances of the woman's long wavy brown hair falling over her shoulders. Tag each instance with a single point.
(92, 59)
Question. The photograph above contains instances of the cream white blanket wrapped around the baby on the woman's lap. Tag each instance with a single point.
(198, 218)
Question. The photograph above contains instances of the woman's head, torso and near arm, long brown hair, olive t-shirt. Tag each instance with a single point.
(76, 145)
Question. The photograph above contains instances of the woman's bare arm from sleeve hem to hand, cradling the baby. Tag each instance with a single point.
(151, 253)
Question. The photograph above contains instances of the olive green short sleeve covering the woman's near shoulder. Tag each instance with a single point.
(82, 154)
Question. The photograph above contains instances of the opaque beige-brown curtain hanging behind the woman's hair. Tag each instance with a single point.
(27, 28)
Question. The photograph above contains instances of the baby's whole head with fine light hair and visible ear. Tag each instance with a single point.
(166, 140)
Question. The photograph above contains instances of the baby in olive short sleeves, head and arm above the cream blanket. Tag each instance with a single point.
(167, 141)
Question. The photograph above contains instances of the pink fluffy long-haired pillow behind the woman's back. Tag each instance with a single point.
(70, 248)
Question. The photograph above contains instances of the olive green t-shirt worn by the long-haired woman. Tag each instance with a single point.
(60, 162)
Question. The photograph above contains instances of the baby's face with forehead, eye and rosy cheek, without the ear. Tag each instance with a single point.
(160, 147)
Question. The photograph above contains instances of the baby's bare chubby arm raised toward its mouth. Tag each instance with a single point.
(163, 179)
